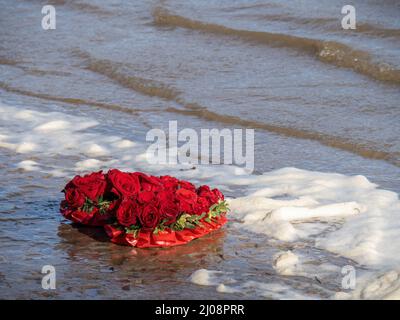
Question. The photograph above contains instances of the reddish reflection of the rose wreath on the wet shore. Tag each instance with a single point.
(128, 269)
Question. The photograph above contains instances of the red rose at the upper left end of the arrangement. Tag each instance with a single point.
(91, 185)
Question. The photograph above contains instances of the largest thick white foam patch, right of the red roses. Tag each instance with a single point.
(370, 214)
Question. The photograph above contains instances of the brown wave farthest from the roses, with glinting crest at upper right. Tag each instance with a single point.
(331, 52)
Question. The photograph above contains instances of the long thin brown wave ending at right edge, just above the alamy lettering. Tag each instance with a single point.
(116, 72)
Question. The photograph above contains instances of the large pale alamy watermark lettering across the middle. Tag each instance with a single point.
(206, 148)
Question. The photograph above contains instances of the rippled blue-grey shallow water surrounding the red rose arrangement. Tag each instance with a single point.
(320, 98)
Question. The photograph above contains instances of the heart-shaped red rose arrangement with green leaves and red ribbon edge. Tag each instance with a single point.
(142, 210)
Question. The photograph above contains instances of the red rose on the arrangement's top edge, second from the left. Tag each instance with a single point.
(123, 184)
